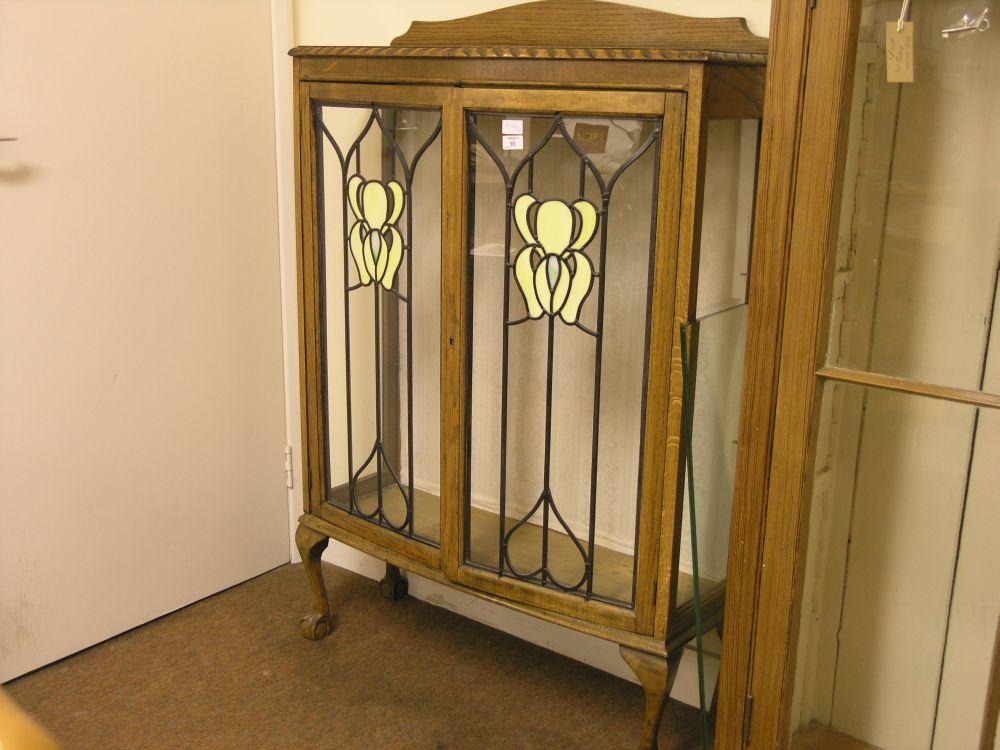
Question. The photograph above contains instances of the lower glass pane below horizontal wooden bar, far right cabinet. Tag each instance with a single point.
(890, 653)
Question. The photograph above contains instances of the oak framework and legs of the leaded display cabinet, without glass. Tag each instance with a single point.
(572, 56)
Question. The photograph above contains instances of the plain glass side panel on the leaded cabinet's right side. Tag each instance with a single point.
(719, 342)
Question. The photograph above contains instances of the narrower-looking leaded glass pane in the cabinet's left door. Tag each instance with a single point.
(380, 243)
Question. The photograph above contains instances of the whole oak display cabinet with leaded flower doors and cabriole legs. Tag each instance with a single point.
(508, 224)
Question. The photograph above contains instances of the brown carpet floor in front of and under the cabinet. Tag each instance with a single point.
(232, 671)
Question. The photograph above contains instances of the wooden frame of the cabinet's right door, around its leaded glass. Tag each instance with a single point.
(670, 107)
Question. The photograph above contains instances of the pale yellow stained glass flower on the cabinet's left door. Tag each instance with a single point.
(375, 242)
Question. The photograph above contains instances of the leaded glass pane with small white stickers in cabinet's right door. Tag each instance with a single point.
(562, 213)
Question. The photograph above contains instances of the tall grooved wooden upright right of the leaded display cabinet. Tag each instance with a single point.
(809, 75)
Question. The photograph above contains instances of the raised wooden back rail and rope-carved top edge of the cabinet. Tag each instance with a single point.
(573, 30)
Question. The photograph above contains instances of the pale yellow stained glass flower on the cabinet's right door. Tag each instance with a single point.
(552, 272)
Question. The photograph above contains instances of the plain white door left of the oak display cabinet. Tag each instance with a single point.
(141, 394)
